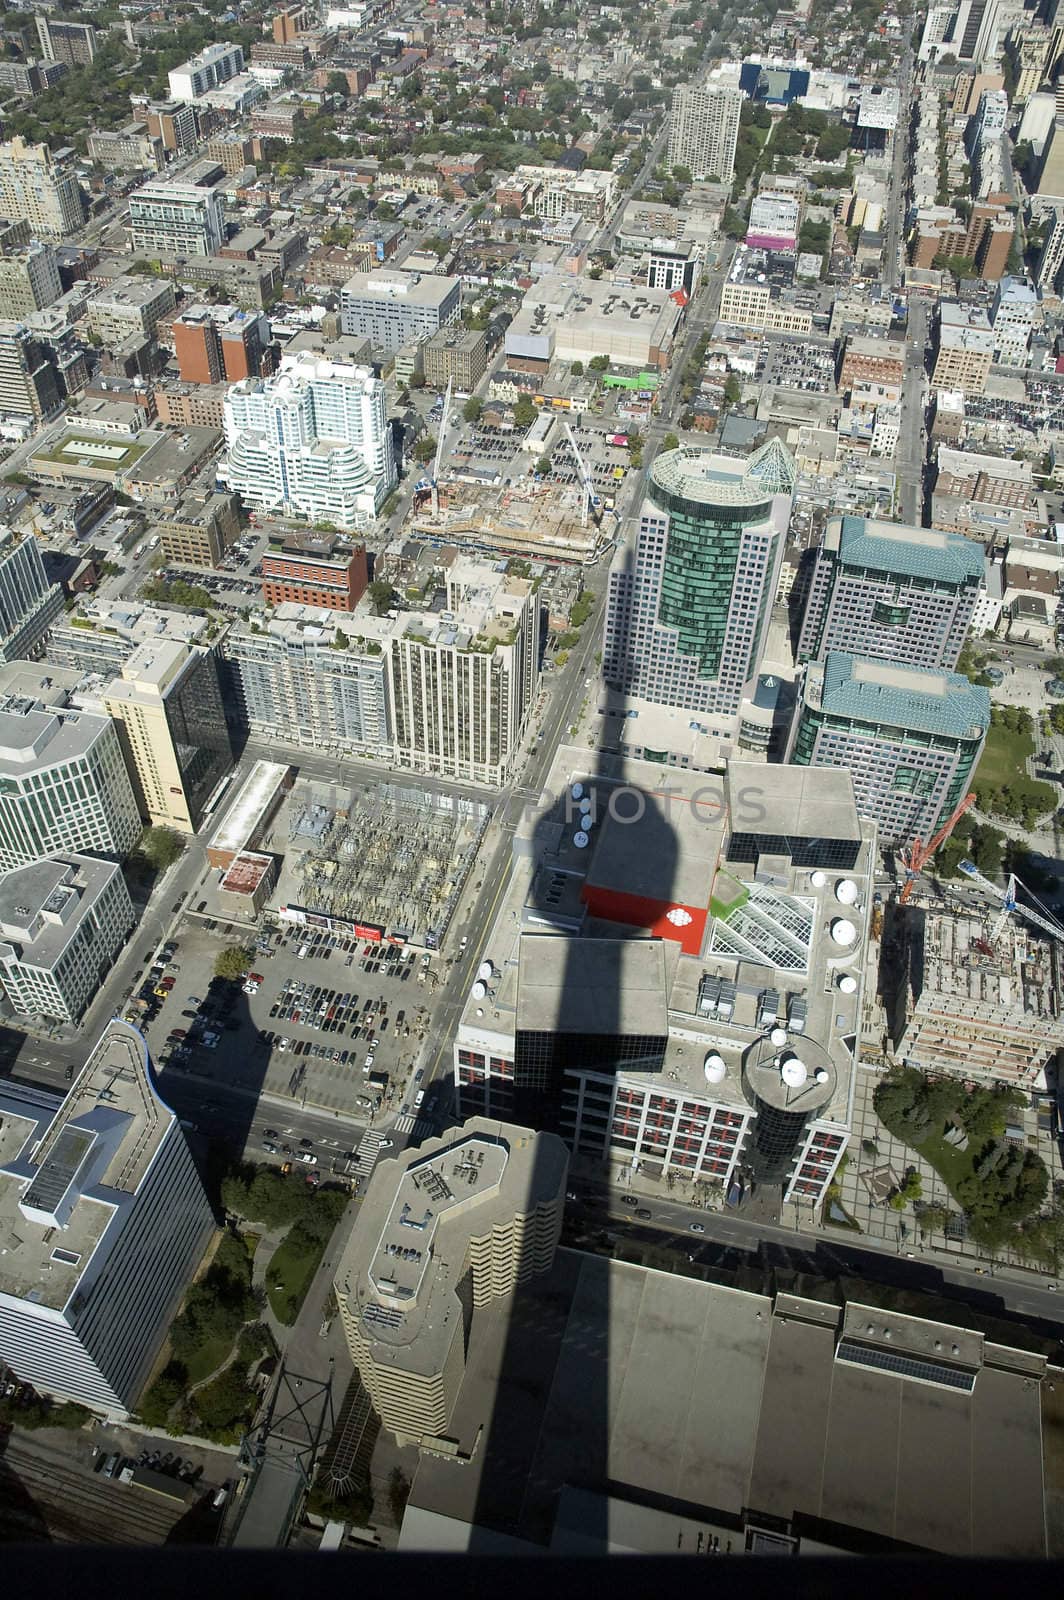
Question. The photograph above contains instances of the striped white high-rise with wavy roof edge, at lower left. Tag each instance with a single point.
(103, 1220)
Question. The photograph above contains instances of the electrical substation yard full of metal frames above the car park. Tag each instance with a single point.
(393, 857)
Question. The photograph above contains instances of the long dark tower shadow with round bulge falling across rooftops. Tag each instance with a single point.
(588, 1007)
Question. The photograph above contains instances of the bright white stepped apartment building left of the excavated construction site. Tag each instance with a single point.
(314, 442)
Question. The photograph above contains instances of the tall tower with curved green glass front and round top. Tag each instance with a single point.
(687, 614)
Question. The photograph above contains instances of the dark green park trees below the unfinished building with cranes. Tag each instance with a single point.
(999, 1185)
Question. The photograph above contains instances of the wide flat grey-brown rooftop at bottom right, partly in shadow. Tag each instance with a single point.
(695, 1398)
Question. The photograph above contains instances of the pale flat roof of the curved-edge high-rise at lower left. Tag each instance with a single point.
(70, 1169)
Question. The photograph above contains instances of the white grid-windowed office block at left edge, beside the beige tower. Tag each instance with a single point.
(63, 782)
